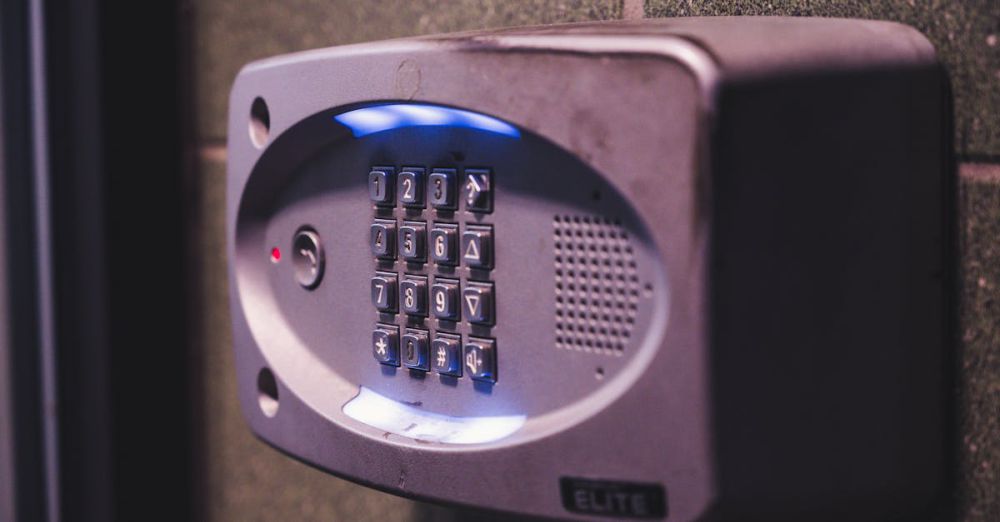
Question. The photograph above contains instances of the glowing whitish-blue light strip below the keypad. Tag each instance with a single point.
(402, 419)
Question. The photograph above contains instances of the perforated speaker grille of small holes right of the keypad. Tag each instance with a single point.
(596, 284)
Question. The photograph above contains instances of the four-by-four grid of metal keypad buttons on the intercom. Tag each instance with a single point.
(433, 266)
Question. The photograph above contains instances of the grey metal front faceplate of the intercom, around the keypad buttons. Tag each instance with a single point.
(596, 275)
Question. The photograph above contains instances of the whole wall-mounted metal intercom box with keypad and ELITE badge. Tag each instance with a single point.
(685, 270)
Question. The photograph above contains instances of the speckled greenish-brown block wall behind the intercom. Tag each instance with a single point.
(239, 478)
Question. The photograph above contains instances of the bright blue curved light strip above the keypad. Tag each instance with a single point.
(378, 118)
